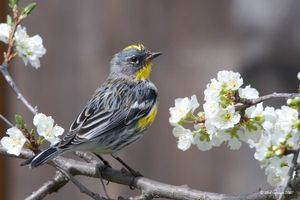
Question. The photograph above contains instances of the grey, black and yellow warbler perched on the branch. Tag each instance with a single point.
(119, 111)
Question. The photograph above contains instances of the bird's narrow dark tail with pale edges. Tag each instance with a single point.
(44, 156)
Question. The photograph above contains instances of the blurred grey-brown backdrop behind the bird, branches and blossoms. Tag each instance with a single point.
(258, 38)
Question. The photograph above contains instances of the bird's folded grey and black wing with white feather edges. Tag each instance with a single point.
(110, 109)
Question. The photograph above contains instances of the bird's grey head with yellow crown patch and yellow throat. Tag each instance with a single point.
(134, 61)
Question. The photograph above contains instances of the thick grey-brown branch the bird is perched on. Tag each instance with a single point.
(150, 188)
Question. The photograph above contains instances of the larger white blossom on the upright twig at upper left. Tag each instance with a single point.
(30, 49)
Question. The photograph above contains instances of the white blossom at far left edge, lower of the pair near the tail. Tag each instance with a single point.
(15, 142)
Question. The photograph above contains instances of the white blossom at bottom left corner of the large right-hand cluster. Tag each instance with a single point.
(185, 137)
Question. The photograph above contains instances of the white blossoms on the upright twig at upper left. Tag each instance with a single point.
(30, 49)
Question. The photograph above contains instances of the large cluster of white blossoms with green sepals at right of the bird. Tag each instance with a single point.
(227, 119)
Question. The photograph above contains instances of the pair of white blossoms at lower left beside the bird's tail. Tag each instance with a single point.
(15, 141)
